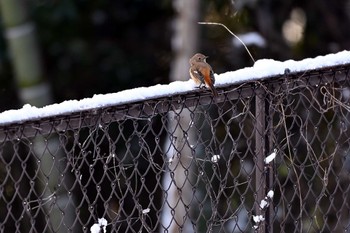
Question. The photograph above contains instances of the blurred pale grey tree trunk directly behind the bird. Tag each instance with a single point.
(184, 46)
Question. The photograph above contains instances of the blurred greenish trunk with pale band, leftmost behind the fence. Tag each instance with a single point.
(33, 89)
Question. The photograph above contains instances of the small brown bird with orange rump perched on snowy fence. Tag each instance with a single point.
(202, 73)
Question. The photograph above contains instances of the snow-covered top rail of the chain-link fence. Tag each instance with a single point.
(144, 101)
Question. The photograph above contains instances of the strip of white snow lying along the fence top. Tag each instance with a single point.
(261, 69)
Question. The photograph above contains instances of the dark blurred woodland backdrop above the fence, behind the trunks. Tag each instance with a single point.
(101, 46)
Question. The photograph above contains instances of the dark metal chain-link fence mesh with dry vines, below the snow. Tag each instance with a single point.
(188, 163)
